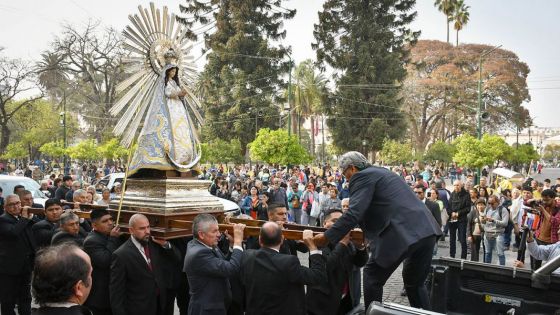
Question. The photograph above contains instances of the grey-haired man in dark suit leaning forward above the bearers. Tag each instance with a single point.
(396, 224)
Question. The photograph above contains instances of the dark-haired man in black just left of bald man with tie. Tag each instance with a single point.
(100, 245)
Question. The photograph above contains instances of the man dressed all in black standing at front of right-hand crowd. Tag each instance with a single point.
(459, 207)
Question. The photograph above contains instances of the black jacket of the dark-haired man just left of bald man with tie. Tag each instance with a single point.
(100, 248)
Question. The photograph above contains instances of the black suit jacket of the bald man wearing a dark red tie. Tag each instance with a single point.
(134, 288)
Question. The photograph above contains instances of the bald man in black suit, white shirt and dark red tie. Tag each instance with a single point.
(137, 283)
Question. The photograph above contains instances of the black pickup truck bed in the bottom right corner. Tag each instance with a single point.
(463, 287)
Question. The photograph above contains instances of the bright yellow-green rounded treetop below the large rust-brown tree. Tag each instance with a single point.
(472, 152)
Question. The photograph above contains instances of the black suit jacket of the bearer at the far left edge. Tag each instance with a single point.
(17, 245)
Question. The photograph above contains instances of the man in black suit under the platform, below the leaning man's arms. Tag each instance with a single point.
(341, 261)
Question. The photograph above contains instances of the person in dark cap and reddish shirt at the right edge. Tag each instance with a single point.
(544, 232)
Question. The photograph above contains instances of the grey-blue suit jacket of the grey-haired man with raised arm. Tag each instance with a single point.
(208, 272)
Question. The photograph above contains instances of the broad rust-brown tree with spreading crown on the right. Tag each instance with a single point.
(441, 91)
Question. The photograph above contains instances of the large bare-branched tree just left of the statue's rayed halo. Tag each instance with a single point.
(91, 68)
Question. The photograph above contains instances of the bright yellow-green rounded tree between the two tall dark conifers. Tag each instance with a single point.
(276, 147)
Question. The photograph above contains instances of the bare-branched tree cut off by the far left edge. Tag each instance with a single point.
(17, 79)
